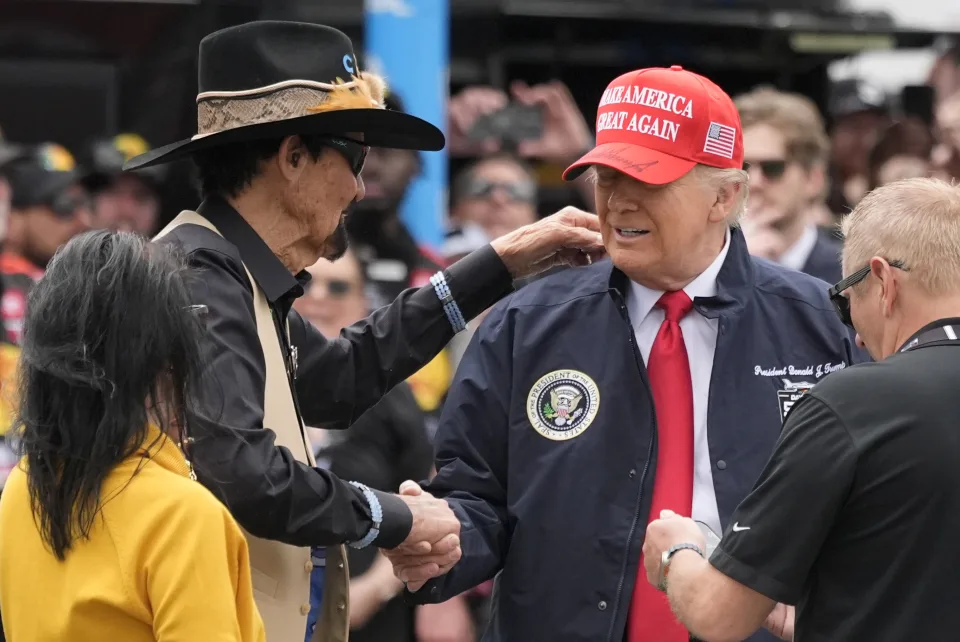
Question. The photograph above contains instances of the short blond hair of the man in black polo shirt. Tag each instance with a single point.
(917, 221)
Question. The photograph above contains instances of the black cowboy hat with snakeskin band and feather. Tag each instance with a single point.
(271, 79)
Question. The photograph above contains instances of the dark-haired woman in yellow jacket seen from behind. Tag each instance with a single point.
(105, 536)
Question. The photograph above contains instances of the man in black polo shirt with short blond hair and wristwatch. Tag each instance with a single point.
(855, 519)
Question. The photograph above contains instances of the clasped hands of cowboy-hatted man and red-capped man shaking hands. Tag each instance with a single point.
(433, 545)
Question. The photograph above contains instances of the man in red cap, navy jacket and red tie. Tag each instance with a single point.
(588, 402)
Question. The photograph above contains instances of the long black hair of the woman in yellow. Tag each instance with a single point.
(109, 333)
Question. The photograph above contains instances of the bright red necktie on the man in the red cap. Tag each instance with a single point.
(651, 619)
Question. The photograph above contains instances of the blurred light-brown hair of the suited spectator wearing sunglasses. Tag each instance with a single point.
(796, 117)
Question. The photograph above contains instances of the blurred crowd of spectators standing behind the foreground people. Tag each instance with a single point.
(806, 169)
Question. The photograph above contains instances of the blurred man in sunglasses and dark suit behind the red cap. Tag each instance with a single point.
(785, 152)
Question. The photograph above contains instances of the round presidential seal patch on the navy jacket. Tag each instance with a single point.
(562, 404)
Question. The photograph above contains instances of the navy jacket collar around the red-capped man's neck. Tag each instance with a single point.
(734, 281)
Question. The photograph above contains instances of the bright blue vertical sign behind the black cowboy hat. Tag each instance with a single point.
(408, 42)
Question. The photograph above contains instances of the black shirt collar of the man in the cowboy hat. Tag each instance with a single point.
(269, 272)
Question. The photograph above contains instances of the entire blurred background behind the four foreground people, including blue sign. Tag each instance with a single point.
(836, 98)
